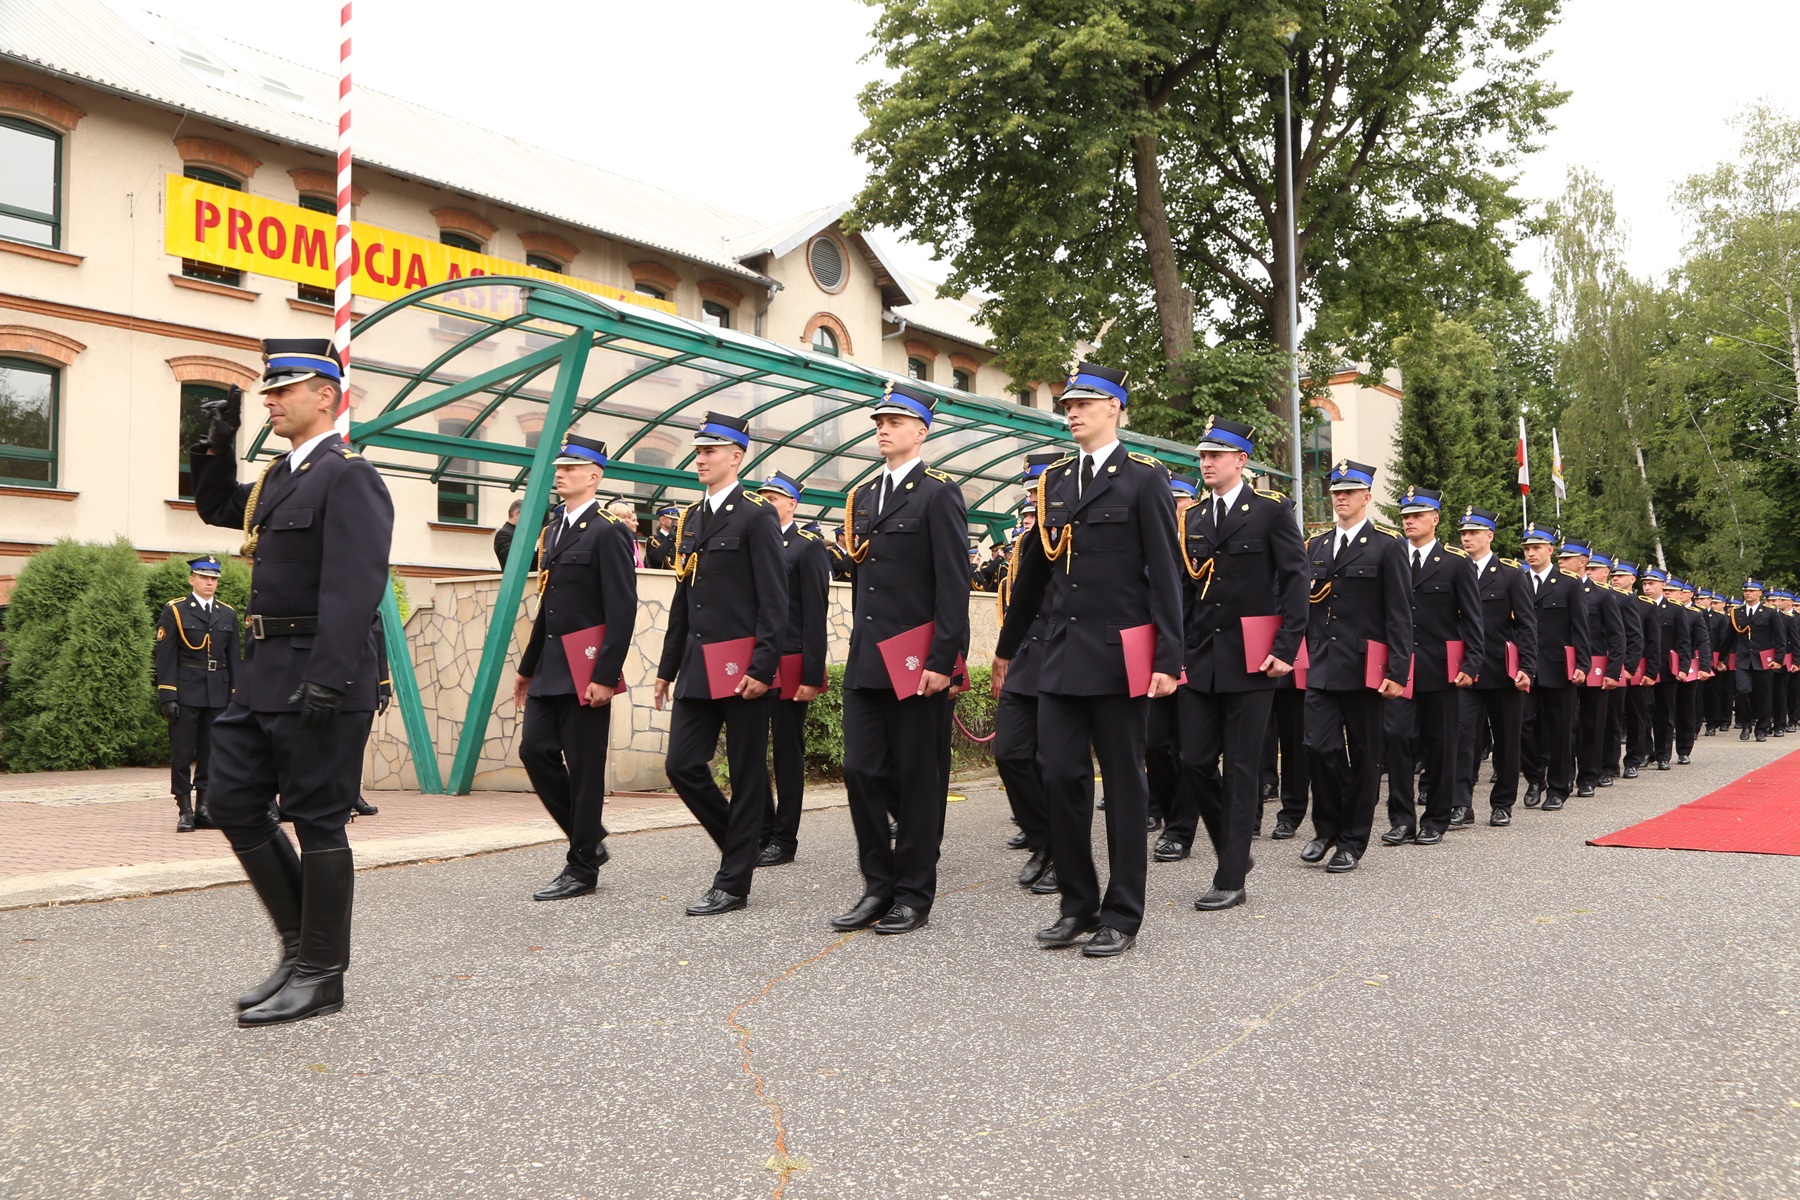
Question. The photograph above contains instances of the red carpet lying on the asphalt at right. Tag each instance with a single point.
(1754, 816)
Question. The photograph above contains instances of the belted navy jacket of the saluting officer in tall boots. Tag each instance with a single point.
(325, 533)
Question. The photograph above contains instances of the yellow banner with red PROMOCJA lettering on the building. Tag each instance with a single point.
(226, 228)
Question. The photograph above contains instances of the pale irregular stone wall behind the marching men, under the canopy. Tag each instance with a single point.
(447, 631)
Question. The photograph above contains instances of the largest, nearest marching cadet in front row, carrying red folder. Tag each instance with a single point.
(1102, 571)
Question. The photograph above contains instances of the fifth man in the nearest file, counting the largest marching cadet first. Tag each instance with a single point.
(1509, 640)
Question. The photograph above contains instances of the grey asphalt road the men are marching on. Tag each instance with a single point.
(1511, 1014)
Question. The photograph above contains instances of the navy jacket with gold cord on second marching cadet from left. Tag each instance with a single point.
(737, 589)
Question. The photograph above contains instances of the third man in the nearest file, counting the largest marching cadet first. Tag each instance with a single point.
(1360, 593)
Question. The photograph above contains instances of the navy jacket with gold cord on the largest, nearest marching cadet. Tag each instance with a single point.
(1120, 571)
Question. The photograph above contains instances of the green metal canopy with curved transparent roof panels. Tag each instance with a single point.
(480, 379)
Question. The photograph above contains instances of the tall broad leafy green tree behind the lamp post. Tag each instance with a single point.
(1083, 163)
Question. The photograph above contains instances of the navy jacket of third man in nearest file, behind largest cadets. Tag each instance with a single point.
(1360, 596)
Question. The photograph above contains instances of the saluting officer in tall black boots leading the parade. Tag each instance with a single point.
(318, 530)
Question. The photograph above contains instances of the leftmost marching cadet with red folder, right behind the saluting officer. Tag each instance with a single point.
(588, 607)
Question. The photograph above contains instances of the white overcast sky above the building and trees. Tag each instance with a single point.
(753, 105)
